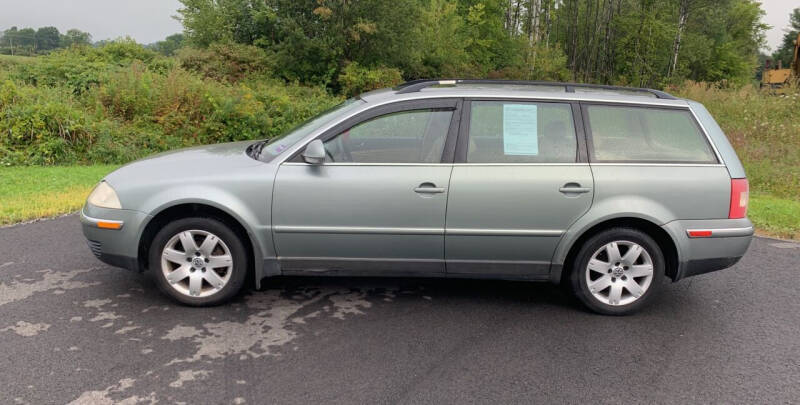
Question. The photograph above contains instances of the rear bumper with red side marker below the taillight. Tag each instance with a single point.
(718, 249)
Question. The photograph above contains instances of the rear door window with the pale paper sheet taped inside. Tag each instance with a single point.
(520, 132)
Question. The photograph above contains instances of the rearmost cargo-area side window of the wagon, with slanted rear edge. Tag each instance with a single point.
(644, 134)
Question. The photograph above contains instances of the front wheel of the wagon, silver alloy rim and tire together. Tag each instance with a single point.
(198, 261)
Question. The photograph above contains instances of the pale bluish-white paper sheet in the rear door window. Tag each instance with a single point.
(520, 131)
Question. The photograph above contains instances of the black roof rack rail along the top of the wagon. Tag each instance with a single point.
(417, 85)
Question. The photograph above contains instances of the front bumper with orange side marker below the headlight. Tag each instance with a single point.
(113, 235)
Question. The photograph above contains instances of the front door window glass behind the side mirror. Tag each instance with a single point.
(416, 136)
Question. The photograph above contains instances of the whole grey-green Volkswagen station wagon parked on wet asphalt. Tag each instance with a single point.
(606, 189)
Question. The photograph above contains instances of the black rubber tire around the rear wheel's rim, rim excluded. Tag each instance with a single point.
(578, 276)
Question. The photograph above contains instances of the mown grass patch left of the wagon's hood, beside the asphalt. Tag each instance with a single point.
(30, 192)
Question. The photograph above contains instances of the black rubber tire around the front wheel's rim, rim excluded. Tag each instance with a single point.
(234, 243)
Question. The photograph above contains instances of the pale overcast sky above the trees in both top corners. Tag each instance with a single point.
(151, 20)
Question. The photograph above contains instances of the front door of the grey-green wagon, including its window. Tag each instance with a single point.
(377, 204)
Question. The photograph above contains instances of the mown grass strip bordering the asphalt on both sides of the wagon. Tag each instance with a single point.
(36, 192)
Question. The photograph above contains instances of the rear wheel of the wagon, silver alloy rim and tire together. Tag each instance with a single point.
(618, 271)
